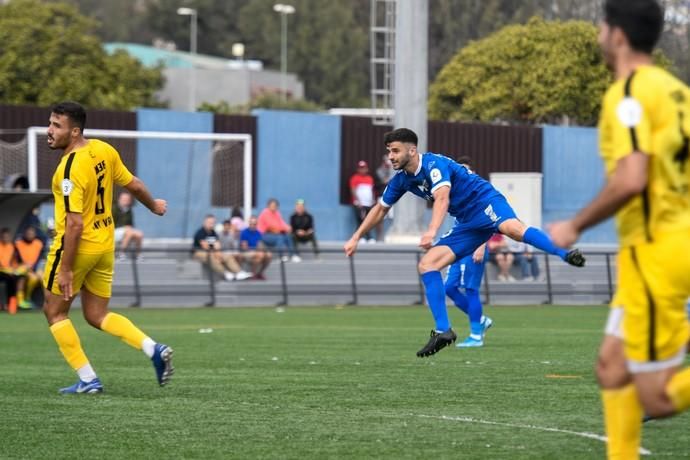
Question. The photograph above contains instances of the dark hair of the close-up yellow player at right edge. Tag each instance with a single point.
(640, 20)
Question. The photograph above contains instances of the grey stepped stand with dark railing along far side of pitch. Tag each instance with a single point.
(377, 272)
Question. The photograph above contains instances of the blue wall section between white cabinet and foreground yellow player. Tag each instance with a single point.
(573, 175)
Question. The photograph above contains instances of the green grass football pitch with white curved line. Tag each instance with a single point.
(317, 383)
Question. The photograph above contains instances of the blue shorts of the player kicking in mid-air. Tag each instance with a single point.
(466, 236)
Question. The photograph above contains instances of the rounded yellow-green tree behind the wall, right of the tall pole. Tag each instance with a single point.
(538, 72)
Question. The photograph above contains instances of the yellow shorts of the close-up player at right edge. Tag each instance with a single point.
(653, 287)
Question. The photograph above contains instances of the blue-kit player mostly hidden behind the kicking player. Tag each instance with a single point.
(462, 284)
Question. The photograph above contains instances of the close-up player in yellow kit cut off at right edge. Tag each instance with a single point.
(643, 134)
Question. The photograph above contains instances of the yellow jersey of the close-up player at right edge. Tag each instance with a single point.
(649, 112)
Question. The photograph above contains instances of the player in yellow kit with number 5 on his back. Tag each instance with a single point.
(81, 257)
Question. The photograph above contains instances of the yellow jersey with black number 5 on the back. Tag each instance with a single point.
(83, 183)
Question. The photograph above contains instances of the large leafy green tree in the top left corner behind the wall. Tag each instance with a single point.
(48, 52)
